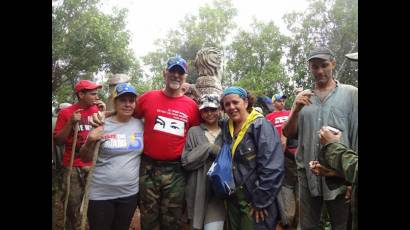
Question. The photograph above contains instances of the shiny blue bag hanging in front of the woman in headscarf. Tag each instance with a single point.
(220, 173)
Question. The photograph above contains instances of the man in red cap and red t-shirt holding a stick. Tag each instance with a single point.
(81, 112)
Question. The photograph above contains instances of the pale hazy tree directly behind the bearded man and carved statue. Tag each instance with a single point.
(208, 28)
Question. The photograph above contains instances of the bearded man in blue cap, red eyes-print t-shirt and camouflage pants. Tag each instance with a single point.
(168, 115)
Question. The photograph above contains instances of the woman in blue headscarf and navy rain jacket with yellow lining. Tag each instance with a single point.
(258, 163)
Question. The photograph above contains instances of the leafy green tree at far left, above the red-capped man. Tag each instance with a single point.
(86, 41)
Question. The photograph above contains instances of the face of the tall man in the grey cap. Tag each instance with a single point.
(322, 70)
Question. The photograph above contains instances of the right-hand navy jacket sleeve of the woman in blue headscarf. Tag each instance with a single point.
(269, 164)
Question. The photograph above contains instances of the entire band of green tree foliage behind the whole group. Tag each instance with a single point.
(86, 42)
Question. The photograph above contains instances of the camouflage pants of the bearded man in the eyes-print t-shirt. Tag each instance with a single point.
(162, 186)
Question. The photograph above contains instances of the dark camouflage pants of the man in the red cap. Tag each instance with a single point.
(77, 186)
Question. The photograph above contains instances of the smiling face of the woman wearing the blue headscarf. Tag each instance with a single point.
(235, 107)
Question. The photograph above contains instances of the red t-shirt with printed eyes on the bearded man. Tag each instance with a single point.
(167, 120)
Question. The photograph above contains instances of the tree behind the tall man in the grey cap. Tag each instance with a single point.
(331, 23)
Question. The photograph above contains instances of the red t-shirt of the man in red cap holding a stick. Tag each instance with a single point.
(84, 127)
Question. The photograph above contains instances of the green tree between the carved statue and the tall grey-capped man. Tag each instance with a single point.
(254, 60)
